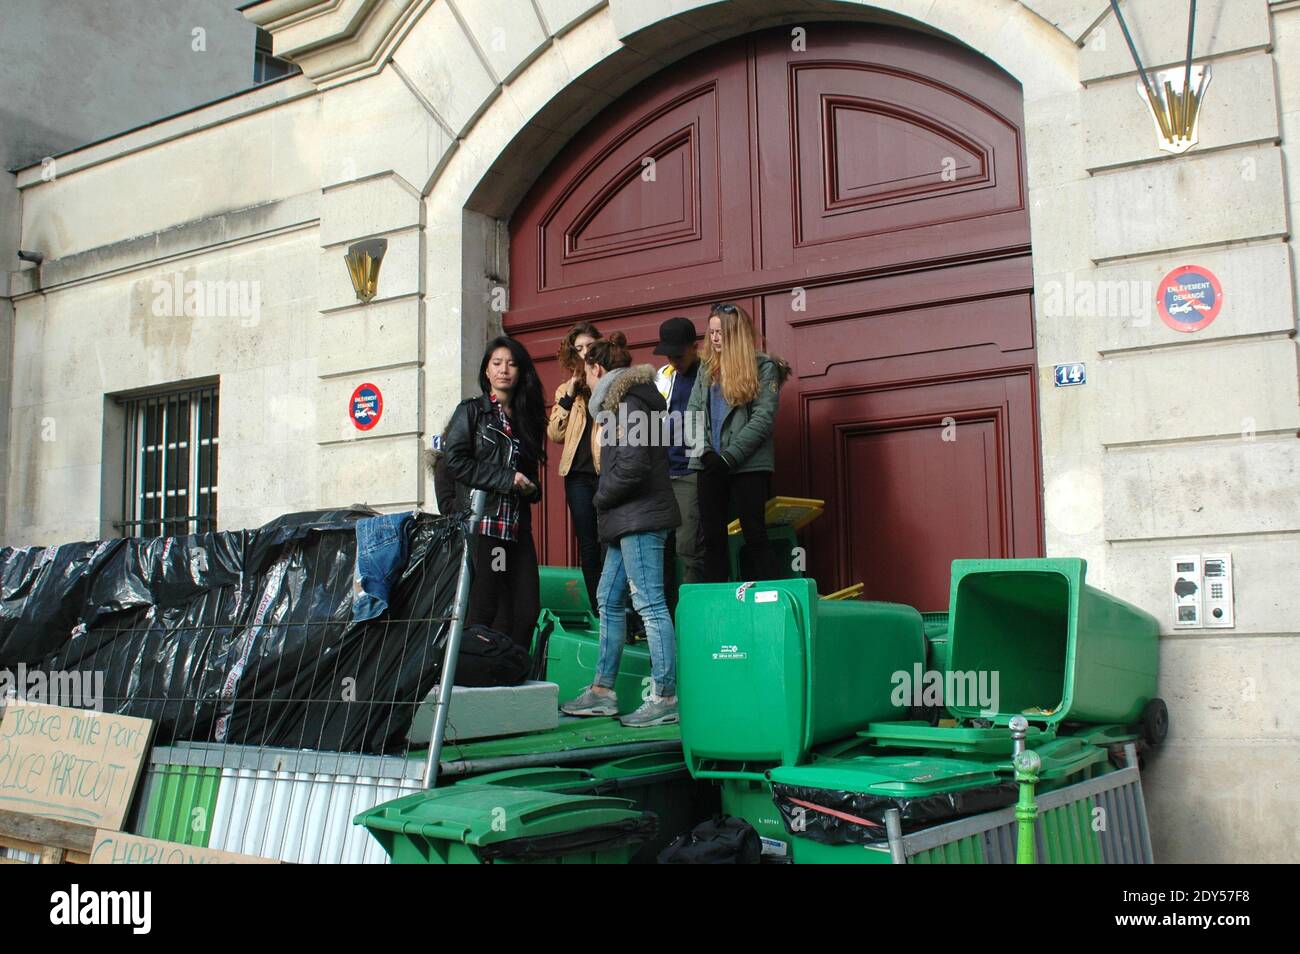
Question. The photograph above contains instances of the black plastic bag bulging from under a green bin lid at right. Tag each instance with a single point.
(809, 822)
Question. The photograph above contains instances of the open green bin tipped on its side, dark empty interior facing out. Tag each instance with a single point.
(1064, 652)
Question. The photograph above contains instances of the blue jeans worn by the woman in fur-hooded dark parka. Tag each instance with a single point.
(636, 562)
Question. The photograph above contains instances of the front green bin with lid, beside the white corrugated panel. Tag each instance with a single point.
(479, 825)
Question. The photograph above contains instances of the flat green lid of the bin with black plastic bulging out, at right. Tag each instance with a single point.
(892, 777)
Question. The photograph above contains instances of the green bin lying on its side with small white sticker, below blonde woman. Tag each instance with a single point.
(769, 671)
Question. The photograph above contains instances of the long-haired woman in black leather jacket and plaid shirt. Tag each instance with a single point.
(495, 444)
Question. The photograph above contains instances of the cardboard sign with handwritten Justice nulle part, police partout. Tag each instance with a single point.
(73, 765)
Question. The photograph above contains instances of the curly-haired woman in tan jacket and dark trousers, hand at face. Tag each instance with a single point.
(571, 426)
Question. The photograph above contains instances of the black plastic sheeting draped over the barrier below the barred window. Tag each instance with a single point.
(244, 636)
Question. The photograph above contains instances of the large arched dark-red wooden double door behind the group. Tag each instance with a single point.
(864, 198)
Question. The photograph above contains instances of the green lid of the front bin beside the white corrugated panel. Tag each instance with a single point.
(487, 814)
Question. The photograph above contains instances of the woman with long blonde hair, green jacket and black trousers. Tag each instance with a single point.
(736, 396)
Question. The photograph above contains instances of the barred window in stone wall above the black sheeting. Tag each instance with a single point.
(170, 465)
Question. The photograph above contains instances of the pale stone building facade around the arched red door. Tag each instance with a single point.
(427, 122)
